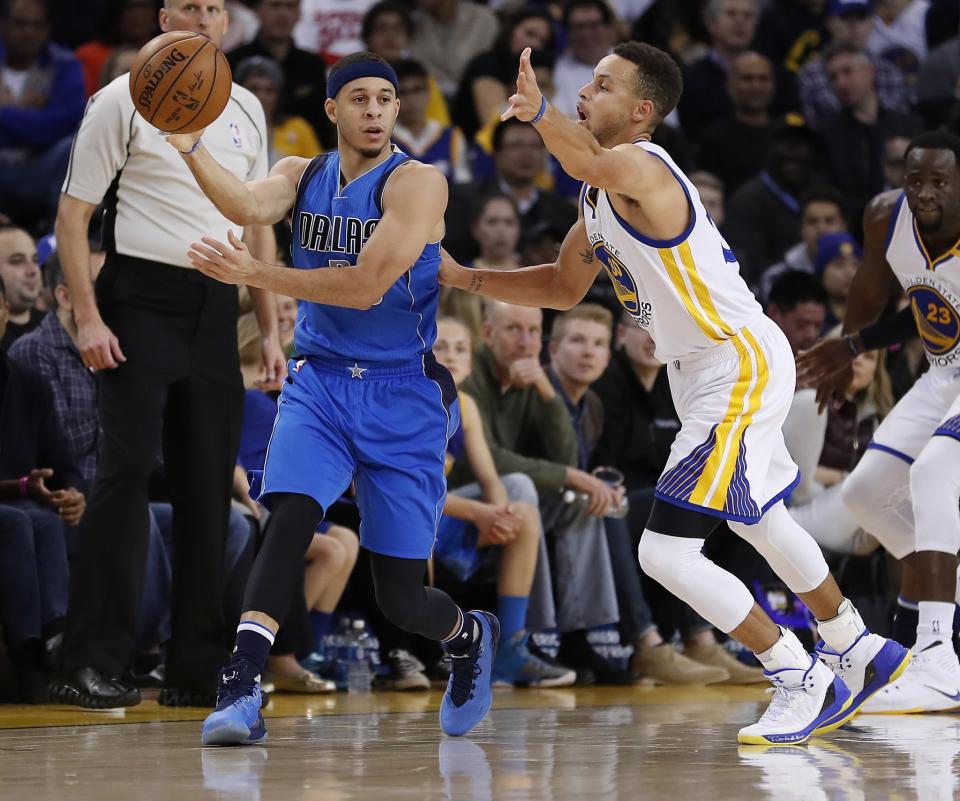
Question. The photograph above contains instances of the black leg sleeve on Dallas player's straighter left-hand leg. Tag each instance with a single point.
(278, 564)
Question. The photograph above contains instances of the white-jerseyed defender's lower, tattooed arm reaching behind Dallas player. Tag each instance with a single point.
(560, 285)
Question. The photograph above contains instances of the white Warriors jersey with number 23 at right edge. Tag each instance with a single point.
(932, 285)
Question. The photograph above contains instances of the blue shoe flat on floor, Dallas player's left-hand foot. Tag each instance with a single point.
(237, 719)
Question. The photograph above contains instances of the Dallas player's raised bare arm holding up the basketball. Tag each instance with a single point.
(262, 202)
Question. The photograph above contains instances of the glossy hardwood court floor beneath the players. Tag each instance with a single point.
(636, 744)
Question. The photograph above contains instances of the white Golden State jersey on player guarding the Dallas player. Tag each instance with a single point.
(687, 291)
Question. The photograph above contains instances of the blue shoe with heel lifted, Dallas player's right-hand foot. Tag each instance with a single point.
(469, 694)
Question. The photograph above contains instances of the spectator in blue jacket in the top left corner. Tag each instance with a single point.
(41, 102)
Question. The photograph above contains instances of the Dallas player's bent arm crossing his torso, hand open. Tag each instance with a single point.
(396, 243)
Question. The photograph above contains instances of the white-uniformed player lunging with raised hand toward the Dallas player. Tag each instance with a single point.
(731, 374)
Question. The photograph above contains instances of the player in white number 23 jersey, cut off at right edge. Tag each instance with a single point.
(906, 488)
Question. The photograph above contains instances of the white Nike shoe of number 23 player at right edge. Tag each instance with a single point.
(931, 683)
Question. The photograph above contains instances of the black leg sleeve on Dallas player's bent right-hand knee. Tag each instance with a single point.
(406, 602)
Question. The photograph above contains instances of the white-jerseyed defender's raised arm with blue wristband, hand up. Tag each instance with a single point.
(624, 169)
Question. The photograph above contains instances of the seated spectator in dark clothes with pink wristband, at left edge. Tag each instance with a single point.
(33, 522)
